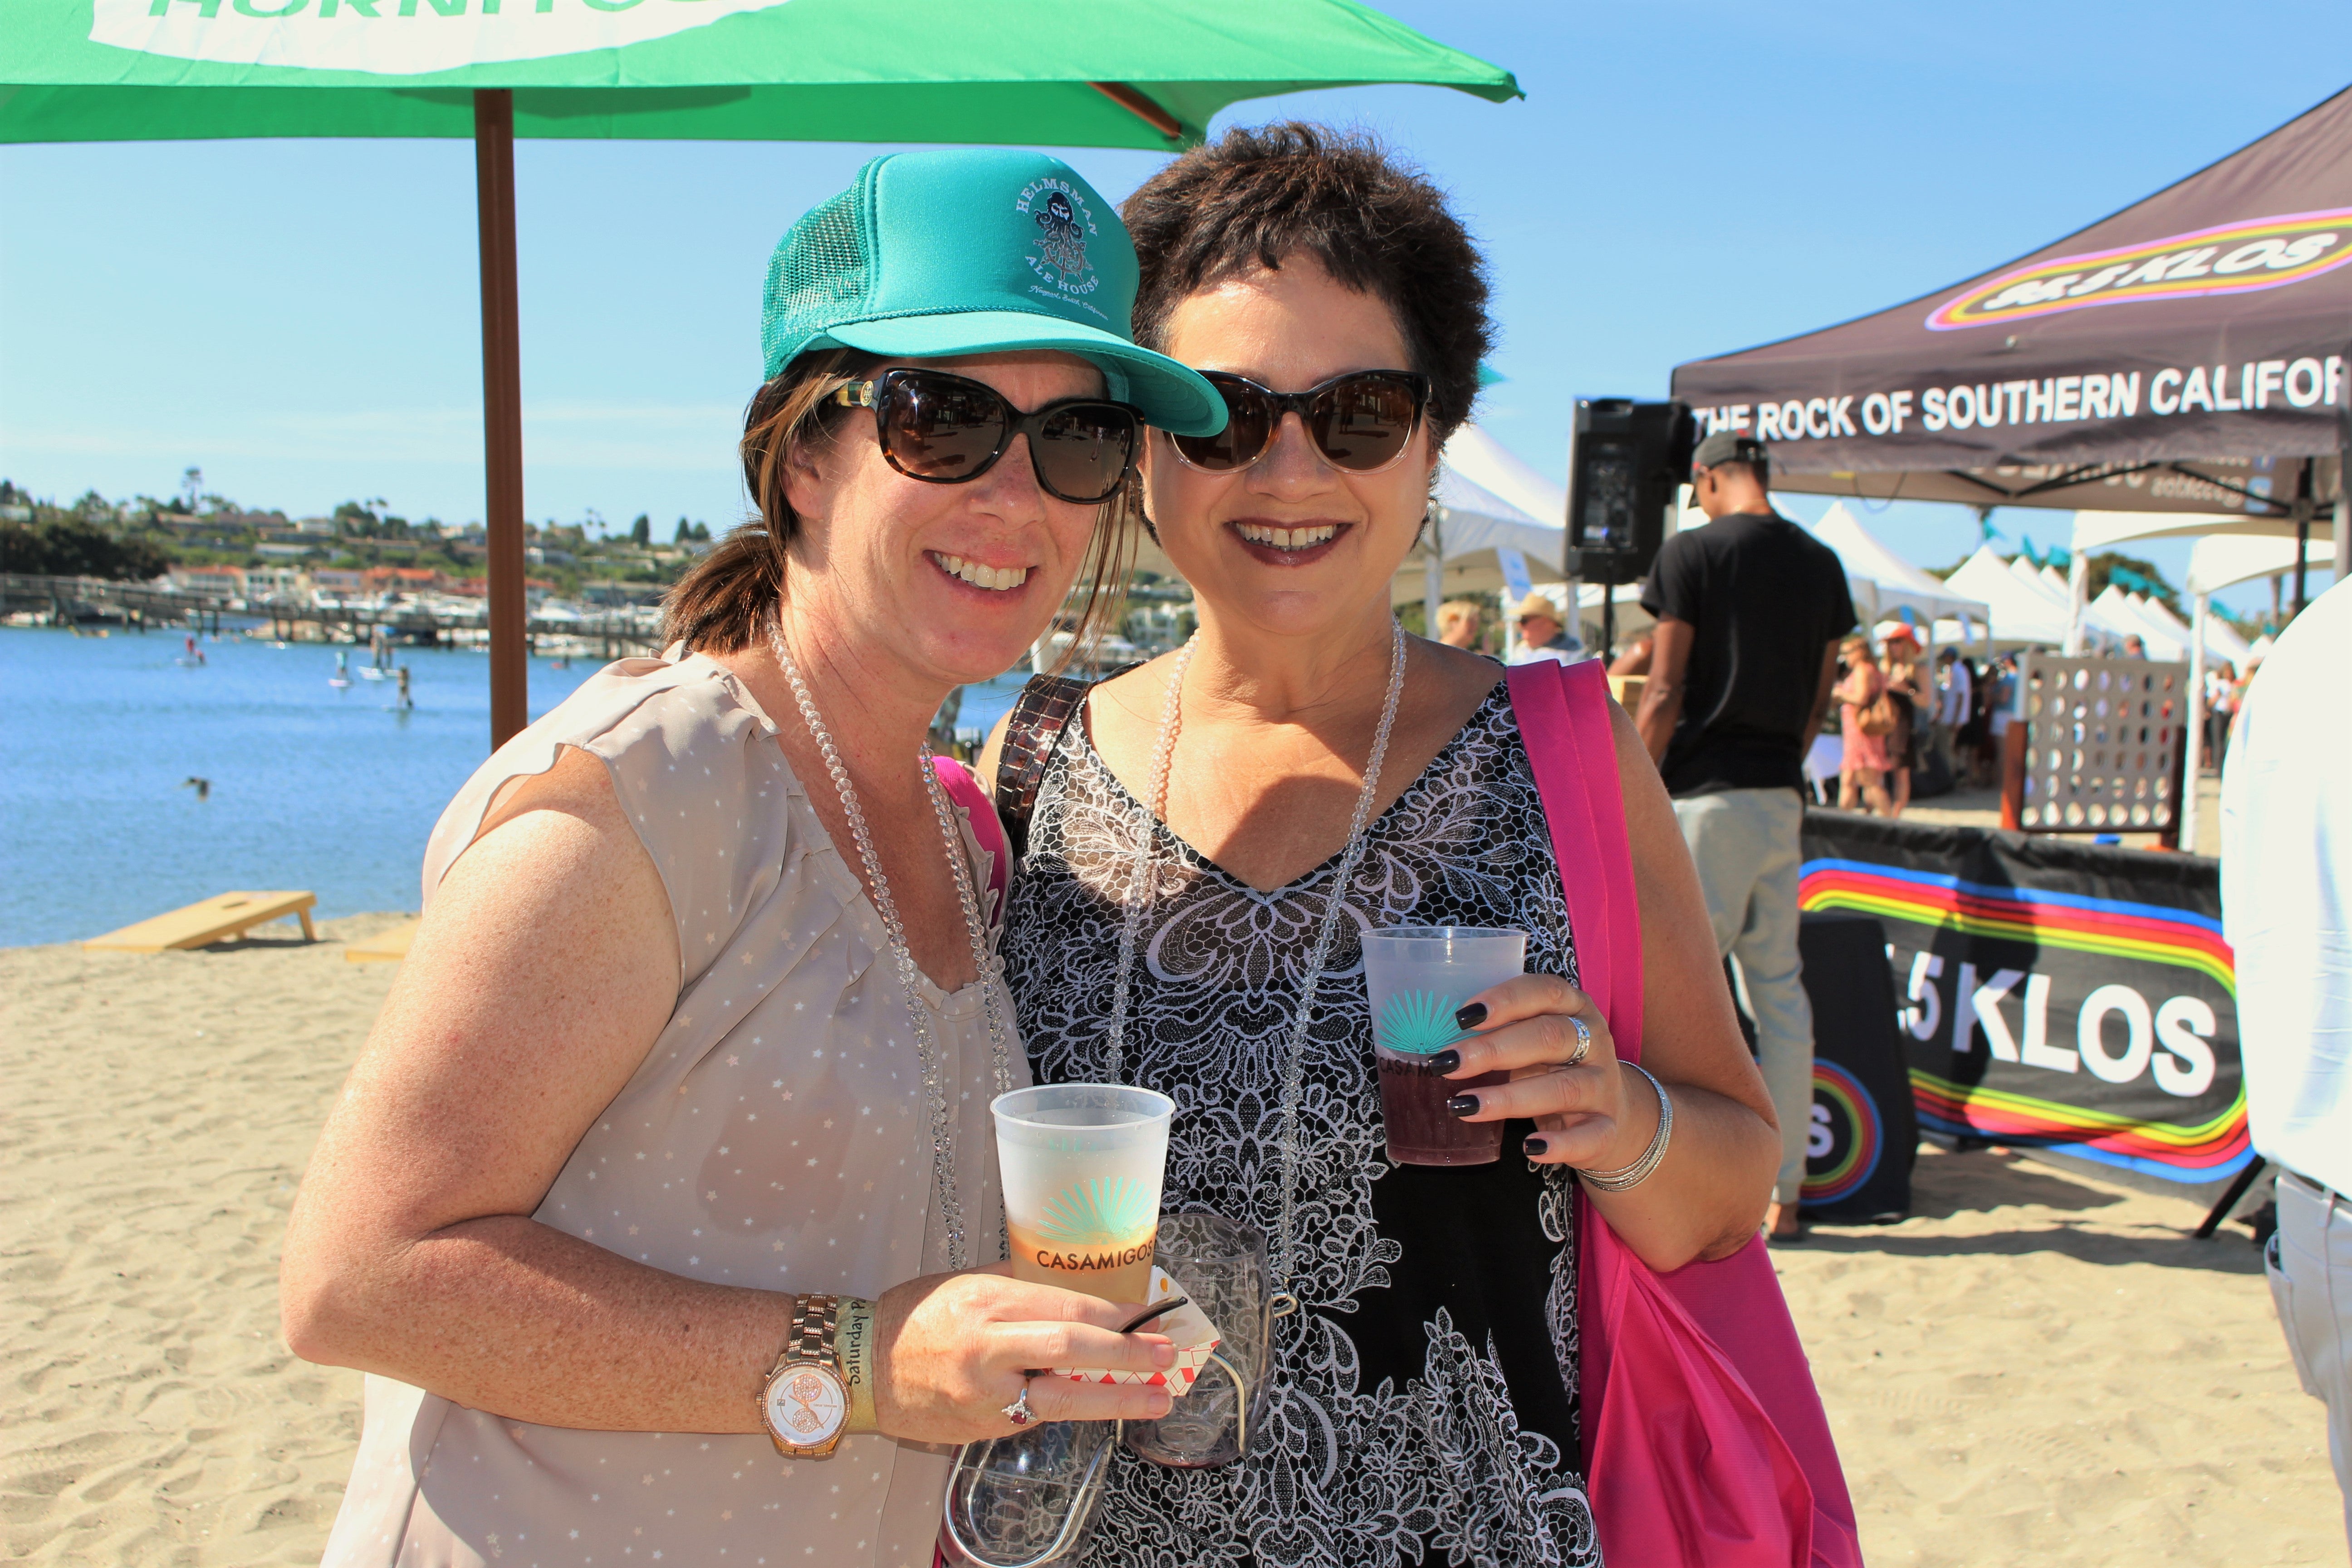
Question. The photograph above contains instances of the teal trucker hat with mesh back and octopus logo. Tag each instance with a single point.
(970, 253)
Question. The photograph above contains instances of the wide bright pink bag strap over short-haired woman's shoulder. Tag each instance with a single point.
(1568, 735)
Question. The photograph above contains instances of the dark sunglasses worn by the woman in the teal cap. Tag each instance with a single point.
(949, 429)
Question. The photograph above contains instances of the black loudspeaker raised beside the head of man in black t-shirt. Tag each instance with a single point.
(1626, 462)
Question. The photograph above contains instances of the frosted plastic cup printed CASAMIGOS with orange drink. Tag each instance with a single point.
(1083, 1170)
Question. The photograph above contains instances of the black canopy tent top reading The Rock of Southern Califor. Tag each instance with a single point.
(2186, 354)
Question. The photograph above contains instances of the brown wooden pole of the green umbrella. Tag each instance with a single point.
(502, 408)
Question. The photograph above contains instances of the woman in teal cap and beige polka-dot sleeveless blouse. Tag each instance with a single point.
(671, 1151)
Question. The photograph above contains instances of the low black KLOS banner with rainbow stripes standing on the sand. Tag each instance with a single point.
(2052, 993)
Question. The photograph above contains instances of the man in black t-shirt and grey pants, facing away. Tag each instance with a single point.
(1751, 610)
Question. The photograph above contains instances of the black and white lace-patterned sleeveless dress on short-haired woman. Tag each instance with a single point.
(1426, 1395)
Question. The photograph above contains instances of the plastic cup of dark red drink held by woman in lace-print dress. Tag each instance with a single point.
(1417, 979)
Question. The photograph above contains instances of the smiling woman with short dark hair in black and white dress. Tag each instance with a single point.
(1212, 833)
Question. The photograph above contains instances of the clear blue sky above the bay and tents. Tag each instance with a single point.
(1683, 180)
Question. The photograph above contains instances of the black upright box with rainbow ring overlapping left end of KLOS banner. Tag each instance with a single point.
(1864, 1132)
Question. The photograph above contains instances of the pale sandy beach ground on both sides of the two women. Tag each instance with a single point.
(2033, 1369)
